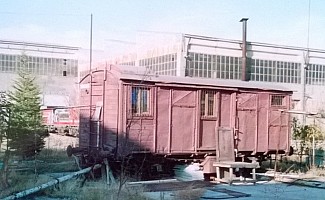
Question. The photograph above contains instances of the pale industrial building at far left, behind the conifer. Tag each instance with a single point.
(54, 66)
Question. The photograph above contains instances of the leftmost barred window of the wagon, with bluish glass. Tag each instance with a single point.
(140, 100)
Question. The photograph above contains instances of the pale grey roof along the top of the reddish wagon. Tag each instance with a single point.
(143, 74)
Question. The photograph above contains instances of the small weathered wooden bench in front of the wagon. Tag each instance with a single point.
(230, 166)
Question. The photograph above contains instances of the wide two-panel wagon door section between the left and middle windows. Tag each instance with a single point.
(175, 120)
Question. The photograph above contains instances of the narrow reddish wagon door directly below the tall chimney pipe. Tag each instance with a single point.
(246, 121)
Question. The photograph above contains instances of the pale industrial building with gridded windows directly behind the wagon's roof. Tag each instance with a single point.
(299, 69)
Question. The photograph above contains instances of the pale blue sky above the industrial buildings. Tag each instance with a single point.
(117, 24)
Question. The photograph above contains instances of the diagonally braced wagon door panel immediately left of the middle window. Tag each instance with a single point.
(183, 120)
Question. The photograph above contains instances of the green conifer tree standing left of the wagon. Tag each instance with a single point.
(26, 135)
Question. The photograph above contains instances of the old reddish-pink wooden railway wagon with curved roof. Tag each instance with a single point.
(132, 111)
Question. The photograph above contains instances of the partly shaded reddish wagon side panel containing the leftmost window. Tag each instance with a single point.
(138, 131)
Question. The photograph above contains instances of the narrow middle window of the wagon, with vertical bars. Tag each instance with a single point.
(208, 103)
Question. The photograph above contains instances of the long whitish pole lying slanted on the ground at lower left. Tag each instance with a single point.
(51, 183)
